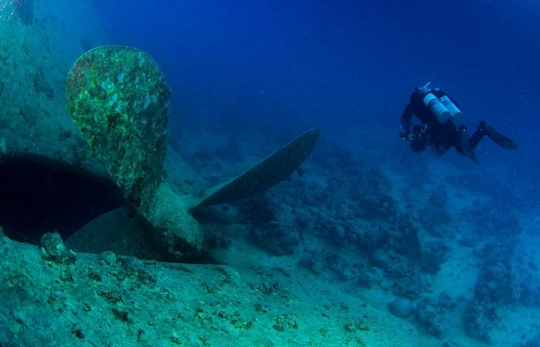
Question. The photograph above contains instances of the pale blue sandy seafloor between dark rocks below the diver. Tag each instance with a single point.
(458, 275)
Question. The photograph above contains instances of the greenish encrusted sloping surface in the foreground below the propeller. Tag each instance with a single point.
(110, 300)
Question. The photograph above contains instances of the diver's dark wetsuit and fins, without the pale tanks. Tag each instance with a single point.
(442, 136)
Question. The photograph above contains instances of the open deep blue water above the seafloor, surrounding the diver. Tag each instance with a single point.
(345, 64)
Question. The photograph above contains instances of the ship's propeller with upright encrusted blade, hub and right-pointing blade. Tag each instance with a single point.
(119, 99)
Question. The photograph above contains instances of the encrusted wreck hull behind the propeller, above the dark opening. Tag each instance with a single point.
(36, 53)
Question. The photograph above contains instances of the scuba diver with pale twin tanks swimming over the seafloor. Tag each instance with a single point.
(439, 114)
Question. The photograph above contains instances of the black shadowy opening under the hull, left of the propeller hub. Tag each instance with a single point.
(37, 197)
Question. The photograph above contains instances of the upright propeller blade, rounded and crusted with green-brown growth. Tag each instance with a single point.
(119, 99)
